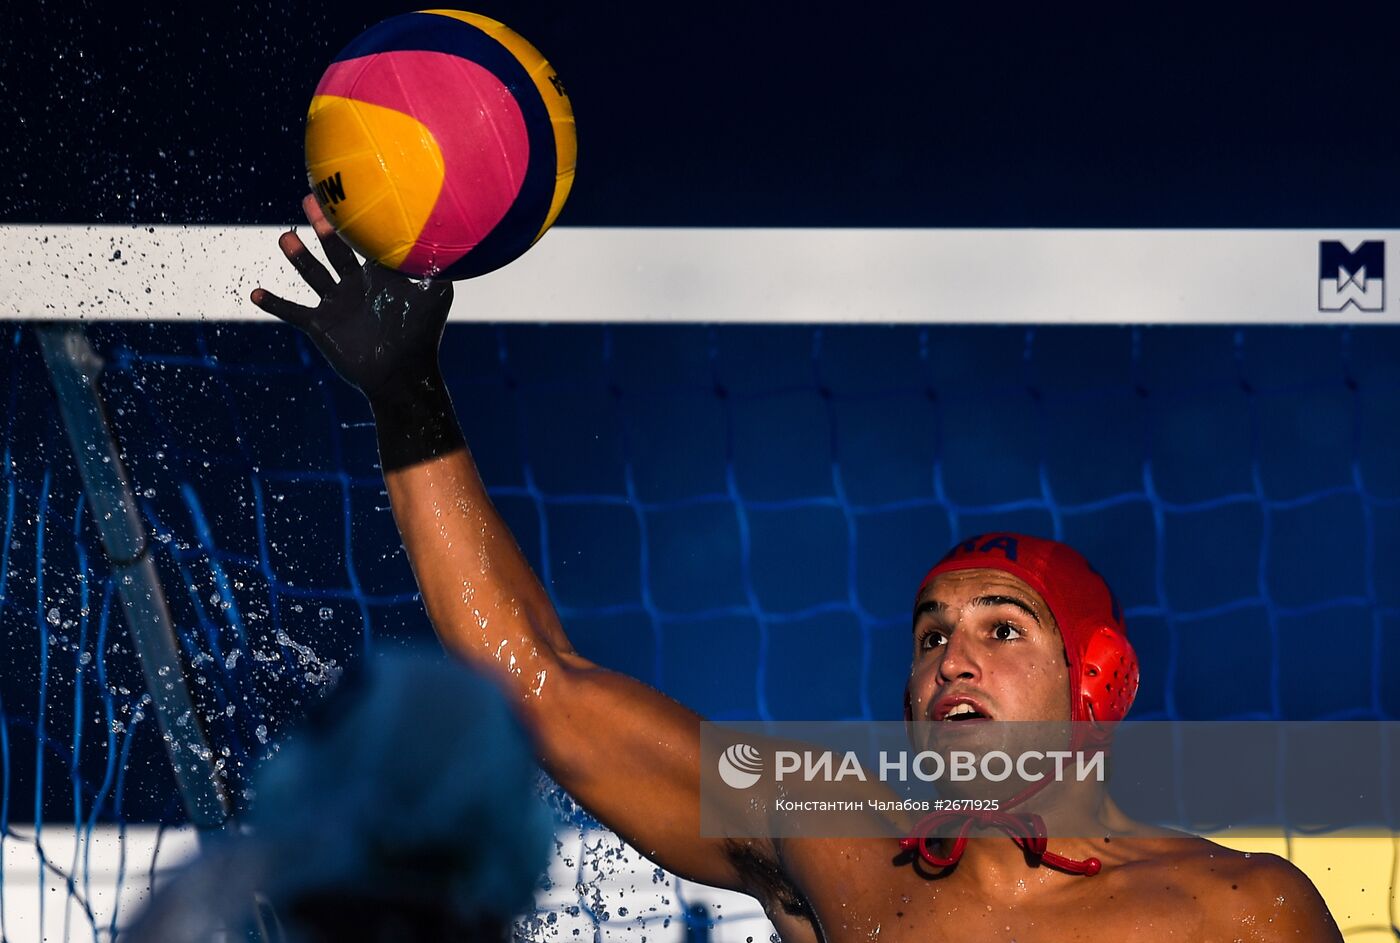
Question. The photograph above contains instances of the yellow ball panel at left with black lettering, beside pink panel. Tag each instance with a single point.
(376, 171)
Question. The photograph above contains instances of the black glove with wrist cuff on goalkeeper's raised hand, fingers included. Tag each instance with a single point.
(381, 332)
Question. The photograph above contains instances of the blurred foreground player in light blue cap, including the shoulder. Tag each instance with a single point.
(405, 808)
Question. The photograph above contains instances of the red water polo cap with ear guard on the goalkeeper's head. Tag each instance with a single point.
(1104, 668)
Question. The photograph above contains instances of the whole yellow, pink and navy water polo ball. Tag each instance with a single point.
(442, 145)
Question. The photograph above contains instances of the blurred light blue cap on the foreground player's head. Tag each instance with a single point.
(414, 780)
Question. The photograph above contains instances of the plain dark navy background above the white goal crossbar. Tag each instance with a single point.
(759, 114)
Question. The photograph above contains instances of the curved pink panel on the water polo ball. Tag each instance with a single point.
(478, 127)
